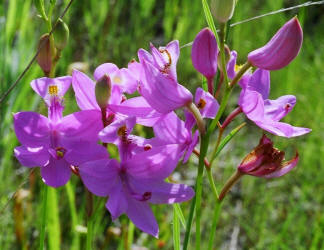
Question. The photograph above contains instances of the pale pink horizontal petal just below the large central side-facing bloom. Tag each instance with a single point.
(138, 106)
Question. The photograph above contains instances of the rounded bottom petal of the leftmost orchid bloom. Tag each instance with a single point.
(56, 173)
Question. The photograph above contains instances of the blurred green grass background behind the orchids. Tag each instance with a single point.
(284, 213)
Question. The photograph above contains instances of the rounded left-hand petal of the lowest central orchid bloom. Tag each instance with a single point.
(100, 176)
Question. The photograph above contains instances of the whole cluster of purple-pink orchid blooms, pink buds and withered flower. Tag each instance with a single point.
(77, 143)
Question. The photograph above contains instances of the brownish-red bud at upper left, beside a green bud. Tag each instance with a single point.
(44, 57)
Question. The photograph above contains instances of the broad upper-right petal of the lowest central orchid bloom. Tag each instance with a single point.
(157, 163)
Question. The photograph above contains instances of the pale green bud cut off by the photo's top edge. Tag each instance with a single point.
(222, 10)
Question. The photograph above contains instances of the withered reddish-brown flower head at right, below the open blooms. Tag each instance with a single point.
(266, 161)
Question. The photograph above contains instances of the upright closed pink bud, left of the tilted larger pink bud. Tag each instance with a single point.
(204, 53)
